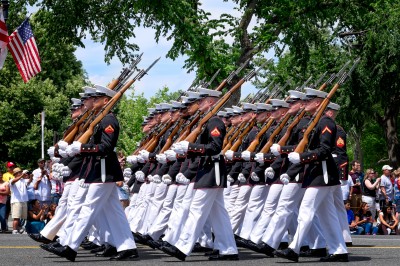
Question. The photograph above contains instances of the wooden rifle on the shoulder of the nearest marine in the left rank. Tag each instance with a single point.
(111, 103)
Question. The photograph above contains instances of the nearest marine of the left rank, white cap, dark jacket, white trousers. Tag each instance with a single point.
(100, 172)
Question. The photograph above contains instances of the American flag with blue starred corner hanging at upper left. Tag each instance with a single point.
(22, 46)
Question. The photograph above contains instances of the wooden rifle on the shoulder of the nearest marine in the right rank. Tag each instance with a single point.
(318, 114)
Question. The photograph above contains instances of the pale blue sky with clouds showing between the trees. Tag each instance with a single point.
(165, 73)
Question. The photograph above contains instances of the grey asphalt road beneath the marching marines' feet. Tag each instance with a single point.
(366, 250)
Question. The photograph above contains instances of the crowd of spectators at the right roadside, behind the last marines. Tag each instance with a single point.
(372, 202)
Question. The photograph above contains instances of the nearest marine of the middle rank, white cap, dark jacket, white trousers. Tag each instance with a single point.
(207, 202)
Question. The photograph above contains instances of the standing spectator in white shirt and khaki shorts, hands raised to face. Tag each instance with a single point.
(19, 199)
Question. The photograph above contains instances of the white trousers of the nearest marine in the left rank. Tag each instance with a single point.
(102, 202)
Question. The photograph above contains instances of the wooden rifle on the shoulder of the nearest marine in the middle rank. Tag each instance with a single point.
(193, 135)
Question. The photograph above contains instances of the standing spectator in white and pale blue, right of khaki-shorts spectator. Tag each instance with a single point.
(41, 183)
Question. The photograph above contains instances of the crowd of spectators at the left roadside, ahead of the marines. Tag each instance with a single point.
(31, 197)
